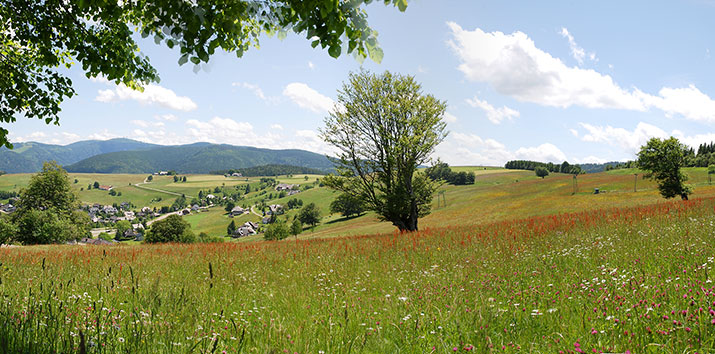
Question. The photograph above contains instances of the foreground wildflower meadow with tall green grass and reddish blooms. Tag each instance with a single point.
(630, 279)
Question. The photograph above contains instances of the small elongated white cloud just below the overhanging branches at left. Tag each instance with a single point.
(153, 94)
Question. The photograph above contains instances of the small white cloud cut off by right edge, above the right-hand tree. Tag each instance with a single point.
(688, 102)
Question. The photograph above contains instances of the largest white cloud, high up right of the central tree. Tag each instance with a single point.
(514, 66)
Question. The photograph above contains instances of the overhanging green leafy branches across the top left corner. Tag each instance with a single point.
(38, 37)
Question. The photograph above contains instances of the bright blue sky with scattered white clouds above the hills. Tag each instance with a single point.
(549, 81)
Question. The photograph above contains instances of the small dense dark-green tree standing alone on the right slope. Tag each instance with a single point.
(662, 160)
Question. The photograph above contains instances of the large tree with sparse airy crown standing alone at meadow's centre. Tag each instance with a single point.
(383, 127)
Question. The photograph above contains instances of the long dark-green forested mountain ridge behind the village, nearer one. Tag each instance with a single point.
(197, 158)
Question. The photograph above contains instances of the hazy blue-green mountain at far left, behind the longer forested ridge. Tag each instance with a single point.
(29, 157)
